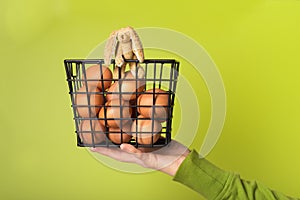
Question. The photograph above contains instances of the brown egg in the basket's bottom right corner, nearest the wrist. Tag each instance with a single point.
(144, 129)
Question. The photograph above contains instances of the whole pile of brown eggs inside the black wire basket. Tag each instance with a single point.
(123, 109)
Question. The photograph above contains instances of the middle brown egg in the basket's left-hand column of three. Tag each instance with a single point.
(95, 101)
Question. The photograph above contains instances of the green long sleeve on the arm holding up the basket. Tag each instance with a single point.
(214, 183)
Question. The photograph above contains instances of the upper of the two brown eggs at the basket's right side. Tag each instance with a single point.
(159, 107)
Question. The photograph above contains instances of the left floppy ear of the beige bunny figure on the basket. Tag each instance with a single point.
(110, 48)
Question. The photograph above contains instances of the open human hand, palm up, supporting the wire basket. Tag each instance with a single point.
(166, 159)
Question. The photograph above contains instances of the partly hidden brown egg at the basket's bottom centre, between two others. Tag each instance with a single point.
(115, 134)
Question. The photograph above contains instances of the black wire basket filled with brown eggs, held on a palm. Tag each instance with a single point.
(111, 107)
